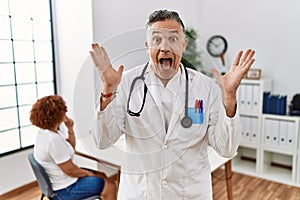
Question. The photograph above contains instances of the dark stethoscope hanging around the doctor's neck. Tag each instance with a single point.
(186, 121)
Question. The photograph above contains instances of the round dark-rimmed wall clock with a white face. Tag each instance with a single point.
(216, 45)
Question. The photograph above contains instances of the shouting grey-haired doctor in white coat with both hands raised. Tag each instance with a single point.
(169, 115)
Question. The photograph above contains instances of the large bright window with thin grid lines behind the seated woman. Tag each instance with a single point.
(26, 68)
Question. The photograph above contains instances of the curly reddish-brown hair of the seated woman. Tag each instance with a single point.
(48, 112)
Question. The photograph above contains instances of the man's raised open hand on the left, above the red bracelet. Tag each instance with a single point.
(109, 76)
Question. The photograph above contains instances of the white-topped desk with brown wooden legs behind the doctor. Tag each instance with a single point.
(114, 155)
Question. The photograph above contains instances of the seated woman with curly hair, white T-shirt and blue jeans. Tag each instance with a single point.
(55, 154)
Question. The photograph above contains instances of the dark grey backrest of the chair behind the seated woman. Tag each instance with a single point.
(41, 176)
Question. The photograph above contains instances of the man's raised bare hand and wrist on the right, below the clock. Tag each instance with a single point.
(231, 80)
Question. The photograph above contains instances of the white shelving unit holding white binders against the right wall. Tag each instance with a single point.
(269, 148)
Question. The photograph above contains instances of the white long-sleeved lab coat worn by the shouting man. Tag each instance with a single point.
(173, 164)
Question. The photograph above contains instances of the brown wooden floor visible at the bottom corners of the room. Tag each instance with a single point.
(244, 188)
